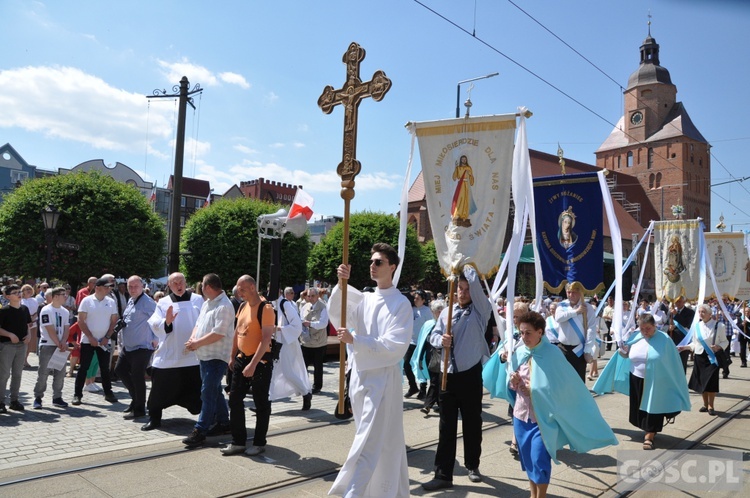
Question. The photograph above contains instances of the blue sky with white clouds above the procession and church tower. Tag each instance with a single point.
(75, 74)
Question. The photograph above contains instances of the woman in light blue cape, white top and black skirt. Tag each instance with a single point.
(648, 369)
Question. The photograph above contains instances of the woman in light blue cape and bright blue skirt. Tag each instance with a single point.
(551, 406)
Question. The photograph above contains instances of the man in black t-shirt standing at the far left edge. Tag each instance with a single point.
(14, 338)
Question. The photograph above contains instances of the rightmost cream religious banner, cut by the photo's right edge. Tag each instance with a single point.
(728, 260)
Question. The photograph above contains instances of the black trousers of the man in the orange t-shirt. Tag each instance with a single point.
(261, 383)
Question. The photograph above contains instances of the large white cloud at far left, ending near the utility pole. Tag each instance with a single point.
(69, 104)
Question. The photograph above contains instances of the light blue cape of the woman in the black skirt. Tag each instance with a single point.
(664, 386)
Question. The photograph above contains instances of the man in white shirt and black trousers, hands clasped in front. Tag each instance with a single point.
(97, 316)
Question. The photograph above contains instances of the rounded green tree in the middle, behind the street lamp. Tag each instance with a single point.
(223, 239)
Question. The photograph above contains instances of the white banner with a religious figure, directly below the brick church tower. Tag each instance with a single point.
(677, 259)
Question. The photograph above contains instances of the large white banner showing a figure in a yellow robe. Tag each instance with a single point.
(466, 164)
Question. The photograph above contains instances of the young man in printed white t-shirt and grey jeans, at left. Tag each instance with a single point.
(53, 336)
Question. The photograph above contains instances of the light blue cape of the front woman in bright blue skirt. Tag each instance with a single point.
(565, 410)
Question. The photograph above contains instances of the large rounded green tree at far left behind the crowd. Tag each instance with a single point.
(111, 222)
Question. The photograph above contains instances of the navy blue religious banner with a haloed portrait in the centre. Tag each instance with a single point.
(569, 224)
